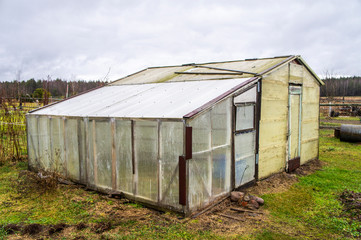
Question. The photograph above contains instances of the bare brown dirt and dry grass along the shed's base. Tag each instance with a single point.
(220, 219)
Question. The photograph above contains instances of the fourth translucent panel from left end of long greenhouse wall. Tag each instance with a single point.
(71, 146)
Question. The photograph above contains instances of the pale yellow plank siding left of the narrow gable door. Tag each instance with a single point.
(273, 122)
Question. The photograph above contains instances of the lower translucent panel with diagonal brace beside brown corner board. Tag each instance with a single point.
(200, 178)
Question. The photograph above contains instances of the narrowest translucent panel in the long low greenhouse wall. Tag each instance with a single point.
(90, 151)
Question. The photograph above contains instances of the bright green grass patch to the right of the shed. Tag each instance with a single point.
(312, 206)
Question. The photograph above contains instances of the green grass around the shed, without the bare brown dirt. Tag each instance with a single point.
(310, 209)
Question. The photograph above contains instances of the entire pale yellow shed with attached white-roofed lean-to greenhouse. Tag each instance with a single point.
(181, 137)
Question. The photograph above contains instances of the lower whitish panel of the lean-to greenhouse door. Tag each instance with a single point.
(244, 146)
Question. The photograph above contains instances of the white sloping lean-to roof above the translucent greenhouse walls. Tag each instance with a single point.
(158, 100)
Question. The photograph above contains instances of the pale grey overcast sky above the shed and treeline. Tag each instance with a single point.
(83, 39)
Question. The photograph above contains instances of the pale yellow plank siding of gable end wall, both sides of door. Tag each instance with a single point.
(273, 143)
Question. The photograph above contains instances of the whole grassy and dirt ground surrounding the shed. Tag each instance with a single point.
(320, 200)
